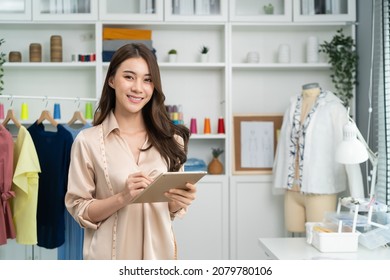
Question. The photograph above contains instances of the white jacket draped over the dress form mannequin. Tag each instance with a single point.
(321, 173)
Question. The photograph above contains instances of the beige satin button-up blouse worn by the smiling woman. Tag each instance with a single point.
(100, 164)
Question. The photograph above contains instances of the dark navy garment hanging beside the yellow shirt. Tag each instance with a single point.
(53, 150)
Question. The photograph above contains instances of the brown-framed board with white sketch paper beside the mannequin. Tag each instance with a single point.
(255, 141)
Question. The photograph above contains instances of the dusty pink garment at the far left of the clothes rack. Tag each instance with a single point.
(7, 229)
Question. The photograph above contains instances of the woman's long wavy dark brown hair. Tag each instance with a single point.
(160, 129)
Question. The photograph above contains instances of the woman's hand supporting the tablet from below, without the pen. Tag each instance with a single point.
(181, 198)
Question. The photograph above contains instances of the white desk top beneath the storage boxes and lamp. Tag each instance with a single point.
(298, 249)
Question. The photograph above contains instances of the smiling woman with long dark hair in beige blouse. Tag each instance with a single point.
(132, 142)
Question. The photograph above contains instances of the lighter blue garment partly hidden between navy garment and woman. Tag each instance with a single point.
(72, 249)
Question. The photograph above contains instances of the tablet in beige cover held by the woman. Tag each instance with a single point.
(166, 181)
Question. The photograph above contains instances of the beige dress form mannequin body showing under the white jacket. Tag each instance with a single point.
(301, 207)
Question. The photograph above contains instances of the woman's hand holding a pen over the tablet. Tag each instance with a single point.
(135, 183)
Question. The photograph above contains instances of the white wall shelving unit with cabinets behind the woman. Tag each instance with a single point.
(224, 86)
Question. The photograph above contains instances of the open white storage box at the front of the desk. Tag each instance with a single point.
(326, 238)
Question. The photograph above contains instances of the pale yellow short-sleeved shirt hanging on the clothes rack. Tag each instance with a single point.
(25, 186)
